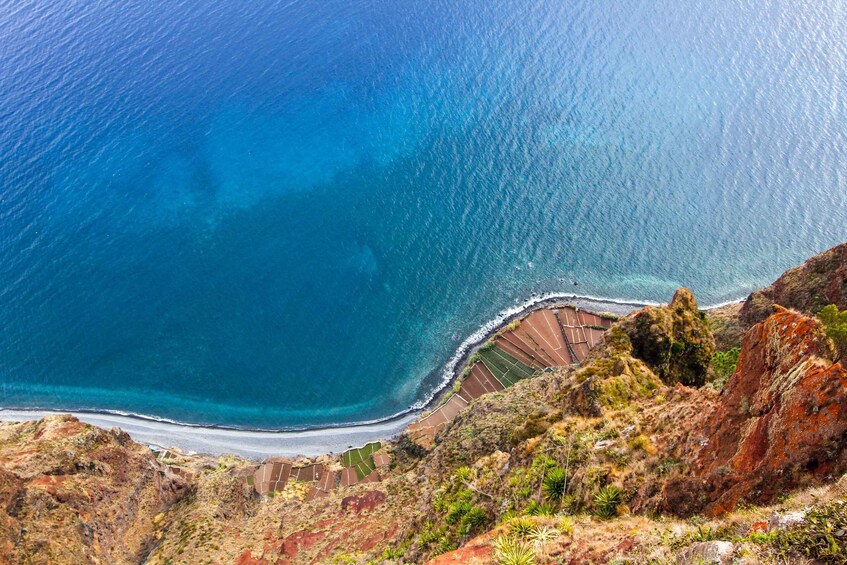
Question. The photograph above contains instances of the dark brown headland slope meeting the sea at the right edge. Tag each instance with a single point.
(819, 281)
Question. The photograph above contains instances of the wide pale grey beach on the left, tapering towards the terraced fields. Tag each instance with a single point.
(247, 443)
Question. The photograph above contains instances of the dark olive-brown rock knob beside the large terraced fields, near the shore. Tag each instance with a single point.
(674, 340)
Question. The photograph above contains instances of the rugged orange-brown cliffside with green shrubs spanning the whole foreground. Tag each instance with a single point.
(748, 472)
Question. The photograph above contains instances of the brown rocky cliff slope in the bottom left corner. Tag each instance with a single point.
(73, 493)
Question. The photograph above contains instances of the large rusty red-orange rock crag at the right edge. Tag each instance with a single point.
(781, 420)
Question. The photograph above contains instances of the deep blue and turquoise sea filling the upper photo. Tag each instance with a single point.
(291, 213)
